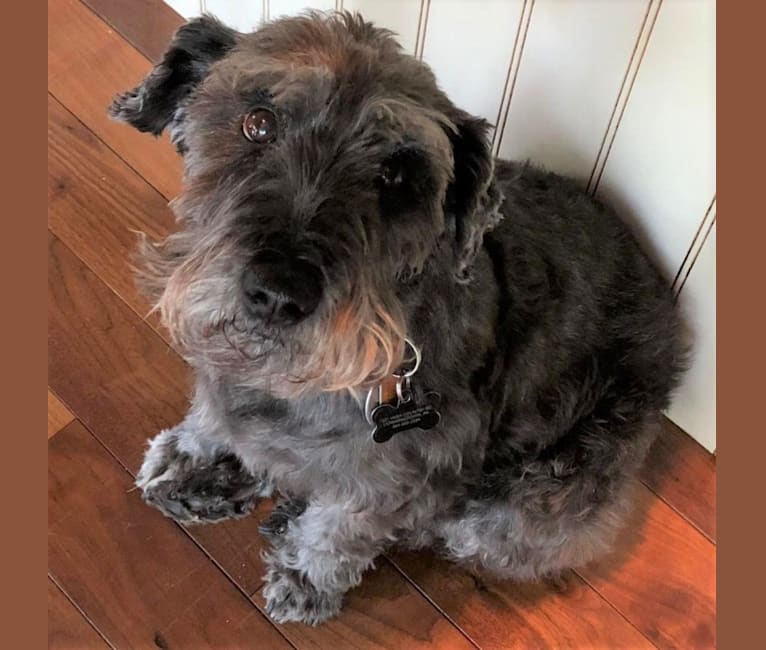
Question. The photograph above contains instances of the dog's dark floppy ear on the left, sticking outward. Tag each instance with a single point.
(158, 101)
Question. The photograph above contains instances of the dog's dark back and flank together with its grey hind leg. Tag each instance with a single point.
(588, 344)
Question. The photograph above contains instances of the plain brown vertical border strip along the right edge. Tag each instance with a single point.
(741, 141)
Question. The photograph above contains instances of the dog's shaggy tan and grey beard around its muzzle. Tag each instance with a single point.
(351, 343)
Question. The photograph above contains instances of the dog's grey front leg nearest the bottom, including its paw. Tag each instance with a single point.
(316, 557)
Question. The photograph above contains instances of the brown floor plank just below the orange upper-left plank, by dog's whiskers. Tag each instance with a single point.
(96, 203)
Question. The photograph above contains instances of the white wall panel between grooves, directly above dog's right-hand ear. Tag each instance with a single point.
(469, 50)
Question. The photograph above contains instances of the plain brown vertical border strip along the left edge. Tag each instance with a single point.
(24, 354)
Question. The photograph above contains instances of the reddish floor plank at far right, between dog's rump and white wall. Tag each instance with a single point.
(683, 474)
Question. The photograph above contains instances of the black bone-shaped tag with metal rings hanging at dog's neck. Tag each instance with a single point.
(391, 407)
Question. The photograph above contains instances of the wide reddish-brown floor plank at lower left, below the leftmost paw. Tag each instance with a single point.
(137, 576)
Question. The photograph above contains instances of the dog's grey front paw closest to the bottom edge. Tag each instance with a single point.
(292, 598)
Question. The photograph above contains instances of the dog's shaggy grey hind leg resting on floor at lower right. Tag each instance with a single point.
(548, 515)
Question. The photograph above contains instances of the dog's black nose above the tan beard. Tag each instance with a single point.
(281, 290)
